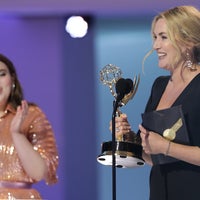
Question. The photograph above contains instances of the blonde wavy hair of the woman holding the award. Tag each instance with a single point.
(183, 29)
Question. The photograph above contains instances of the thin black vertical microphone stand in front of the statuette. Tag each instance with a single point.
(115, 106)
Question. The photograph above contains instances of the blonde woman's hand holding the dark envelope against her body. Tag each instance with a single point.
(152, 142)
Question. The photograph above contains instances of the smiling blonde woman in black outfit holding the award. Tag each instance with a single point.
(176, 40)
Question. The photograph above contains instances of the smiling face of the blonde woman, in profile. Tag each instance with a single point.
(163, 46)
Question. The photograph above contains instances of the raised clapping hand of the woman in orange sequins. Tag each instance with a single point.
(19, 117)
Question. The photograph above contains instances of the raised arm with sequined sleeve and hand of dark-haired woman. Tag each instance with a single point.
(35, 145)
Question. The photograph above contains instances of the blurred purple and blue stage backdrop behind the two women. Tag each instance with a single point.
(61, 75)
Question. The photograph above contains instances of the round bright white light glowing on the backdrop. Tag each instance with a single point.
(76, 26)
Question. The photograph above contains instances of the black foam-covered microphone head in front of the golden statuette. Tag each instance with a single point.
(123, 87)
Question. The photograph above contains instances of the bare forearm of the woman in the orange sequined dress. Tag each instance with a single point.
(31, 161)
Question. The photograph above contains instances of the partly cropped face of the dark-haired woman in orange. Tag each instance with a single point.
(5, 85)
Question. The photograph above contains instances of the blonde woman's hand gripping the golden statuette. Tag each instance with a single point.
(122, 125)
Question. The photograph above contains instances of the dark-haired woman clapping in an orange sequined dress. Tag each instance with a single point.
(28, 151)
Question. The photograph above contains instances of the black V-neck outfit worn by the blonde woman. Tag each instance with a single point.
(178, 180)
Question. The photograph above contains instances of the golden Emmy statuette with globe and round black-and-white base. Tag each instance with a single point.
(128, 150)
